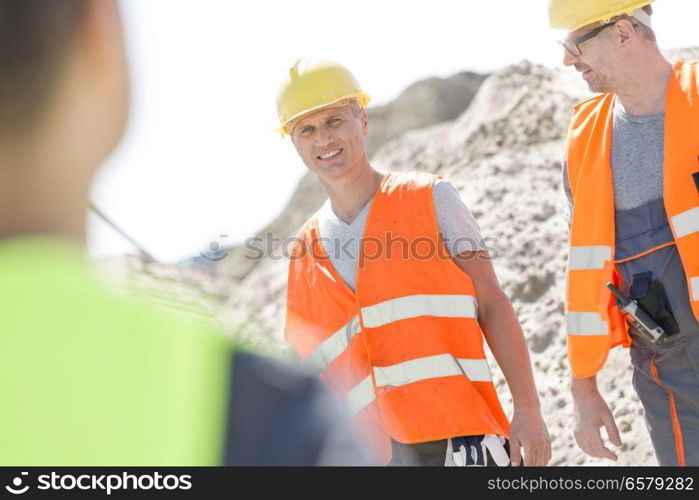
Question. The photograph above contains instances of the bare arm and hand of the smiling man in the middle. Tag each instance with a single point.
(506, 340)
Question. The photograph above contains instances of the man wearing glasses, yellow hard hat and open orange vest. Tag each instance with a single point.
(631, 176)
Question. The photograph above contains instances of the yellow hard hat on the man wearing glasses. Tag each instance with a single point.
(574, 14)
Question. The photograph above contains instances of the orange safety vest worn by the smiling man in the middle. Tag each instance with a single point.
(405, 351)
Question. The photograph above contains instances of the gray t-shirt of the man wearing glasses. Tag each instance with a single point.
(637, 160)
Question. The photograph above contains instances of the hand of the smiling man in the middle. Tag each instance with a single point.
(529, 432)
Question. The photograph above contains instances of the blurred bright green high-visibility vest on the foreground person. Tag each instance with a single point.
(91, 378)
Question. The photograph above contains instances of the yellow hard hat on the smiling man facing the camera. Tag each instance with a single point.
(312, 85)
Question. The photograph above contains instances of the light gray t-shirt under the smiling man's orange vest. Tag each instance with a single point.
(342, 241)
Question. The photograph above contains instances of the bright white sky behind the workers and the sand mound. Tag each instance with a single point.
(200, 158)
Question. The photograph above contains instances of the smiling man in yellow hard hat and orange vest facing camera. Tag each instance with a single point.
(389, 286)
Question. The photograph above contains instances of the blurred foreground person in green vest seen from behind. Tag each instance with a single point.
(88, 377)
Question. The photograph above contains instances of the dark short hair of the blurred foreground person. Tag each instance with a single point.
(35, 36)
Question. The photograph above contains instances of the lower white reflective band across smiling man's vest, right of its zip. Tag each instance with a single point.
(441, 365)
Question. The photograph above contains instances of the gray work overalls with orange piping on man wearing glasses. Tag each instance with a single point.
(666, 377)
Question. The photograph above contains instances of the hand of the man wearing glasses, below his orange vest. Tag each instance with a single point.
(591, 413)
